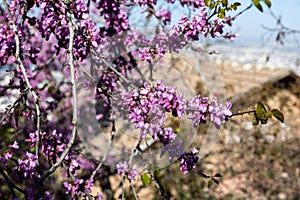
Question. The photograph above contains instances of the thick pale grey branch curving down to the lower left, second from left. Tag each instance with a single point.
(74, 95)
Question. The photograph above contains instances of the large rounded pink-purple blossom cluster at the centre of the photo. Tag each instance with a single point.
(147, 107)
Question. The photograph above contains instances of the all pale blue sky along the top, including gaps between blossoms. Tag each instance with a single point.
(249, 24)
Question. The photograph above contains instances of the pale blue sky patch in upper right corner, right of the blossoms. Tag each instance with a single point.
(248, 25)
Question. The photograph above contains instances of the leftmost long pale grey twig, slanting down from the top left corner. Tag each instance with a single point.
(20, 65)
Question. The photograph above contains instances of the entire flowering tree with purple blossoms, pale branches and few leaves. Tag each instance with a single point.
(54, 47)
